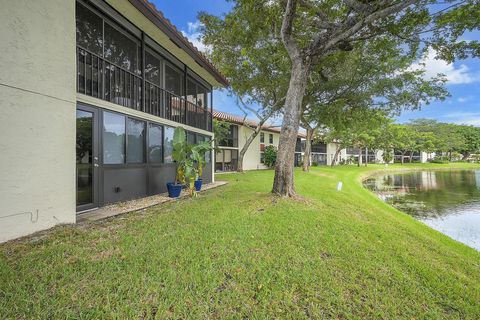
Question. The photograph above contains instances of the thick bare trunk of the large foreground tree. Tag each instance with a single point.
(283, 182)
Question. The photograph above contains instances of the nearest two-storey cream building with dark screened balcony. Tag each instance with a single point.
(90, 92)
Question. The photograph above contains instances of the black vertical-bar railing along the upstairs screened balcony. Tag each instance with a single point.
(101, 79)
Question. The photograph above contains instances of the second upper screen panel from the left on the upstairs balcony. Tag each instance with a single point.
(121, 50)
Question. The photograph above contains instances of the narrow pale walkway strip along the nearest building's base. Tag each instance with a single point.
(137, 204)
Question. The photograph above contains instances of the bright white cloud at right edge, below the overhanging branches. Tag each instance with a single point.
(460, 74)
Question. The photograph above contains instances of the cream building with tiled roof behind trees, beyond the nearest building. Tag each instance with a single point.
(240, 129)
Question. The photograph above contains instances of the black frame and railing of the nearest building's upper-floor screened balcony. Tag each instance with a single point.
(106, 76)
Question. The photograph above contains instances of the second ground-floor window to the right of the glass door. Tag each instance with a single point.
(135, 141)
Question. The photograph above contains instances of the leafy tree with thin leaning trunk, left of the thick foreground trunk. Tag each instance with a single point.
(244, 49)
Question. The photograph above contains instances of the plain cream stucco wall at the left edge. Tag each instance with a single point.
(37, 119)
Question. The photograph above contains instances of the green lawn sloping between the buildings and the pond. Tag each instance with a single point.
(237, 252)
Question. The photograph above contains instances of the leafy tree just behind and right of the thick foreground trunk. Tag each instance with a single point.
(356, 80)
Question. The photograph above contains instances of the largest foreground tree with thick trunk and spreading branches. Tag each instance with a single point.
(308, 32)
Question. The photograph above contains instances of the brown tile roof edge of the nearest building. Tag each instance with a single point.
(156, 16)
